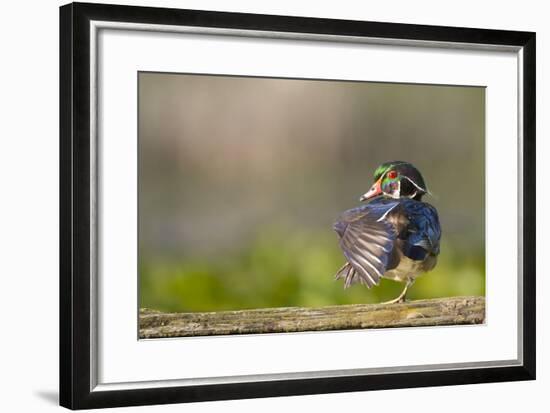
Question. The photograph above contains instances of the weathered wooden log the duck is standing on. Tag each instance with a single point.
(435, 312)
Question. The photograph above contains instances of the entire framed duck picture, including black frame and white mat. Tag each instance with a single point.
(257, 205)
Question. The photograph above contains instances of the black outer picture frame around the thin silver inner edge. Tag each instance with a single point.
(75, 224)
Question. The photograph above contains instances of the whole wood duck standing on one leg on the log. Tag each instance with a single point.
(394, 235)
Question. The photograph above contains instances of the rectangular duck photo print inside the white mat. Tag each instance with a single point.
(283, 205)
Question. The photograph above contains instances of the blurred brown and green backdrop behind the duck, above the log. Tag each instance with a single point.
(241, 178)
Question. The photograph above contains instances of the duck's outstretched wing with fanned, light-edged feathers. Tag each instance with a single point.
(367, 240)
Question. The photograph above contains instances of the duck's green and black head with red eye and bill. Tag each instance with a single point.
(397, 179)
